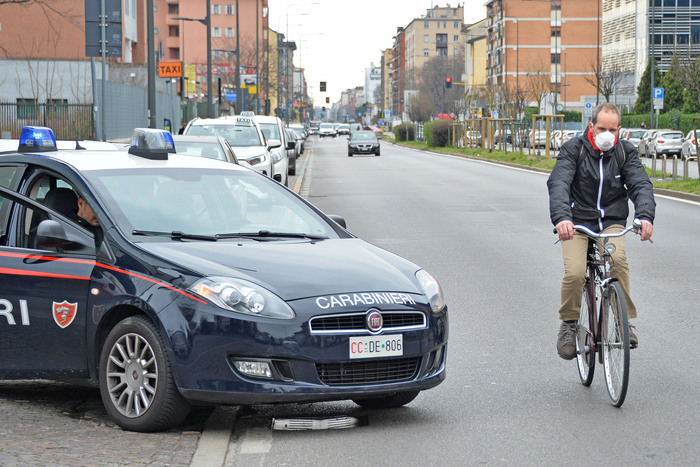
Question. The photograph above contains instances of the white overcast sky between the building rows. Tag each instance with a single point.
(336, 40)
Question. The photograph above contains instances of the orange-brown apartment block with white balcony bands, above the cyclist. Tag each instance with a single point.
(545, 49)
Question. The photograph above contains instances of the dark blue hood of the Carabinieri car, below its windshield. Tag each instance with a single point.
(295, 269)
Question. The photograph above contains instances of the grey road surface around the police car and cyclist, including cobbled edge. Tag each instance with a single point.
(483, 231)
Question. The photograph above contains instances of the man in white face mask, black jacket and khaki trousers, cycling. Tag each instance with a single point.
(594, 177)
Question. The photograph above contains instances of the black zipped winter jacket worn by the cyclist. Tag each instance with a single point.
(595, 191)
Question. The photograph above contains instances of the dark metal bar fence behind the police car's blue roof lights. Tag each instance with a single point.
(68, 121)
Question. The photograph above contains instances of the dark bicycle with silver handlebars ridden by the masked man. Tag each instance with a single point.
(603, 326)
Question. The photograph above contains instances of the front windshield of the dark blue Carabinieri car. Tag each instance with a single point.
(207, 202)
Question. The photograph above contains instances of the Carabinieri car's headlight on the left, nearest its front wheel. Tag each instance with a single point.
(242, 296)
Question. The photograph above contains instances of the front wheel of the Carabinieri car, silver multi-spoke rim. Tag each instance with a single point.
(136, 379)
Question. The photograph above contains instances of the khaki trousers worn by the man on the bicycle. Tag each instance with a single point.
(574, 254)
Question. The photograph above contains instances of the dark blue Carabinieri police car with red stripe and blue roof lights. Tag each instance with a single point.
(172, 281)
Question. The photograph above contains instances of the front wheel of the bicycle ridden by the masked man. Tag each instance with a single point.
(616, 343)
